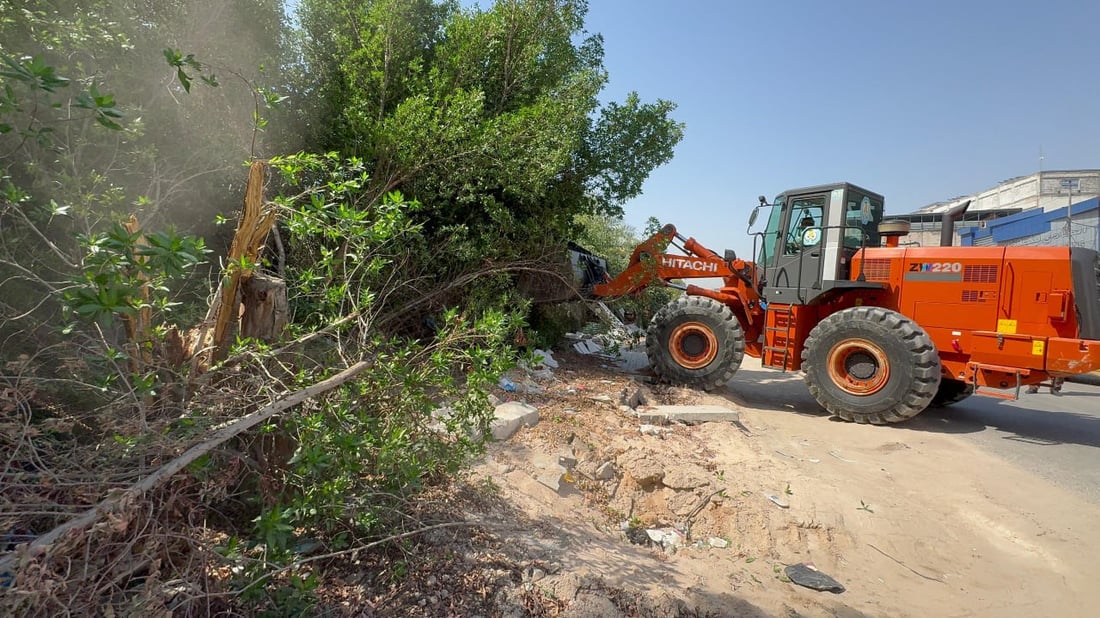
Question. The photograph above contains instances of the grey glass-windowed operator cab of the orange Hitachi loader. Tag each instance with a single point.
(810, 237)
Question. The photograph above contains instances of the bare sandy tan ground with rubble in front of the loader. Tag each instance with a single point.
(923, 526)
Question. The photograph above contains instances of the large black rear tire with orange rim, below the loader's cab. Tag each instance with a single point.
(870, 365)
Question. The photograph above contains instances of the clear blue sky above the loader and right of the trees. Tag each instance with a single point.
(920, 102)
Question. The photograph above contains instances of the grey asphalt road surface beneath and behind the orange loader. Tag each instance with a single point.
(1057, 437)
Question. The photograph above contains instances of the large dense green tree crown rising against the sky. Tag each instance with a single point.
(489, 118)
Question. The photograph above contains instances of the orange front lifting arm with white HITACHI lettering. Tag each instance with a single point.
(651, 266)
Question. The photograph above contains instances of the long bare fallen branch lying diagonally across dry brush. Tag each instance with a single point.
(225, 434)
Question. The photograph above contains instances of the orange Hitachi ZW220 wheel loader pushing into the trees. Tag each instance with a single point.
(881, 329)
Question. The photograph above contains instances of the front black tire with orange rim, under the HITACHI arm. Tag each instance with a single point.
(696, 341)
